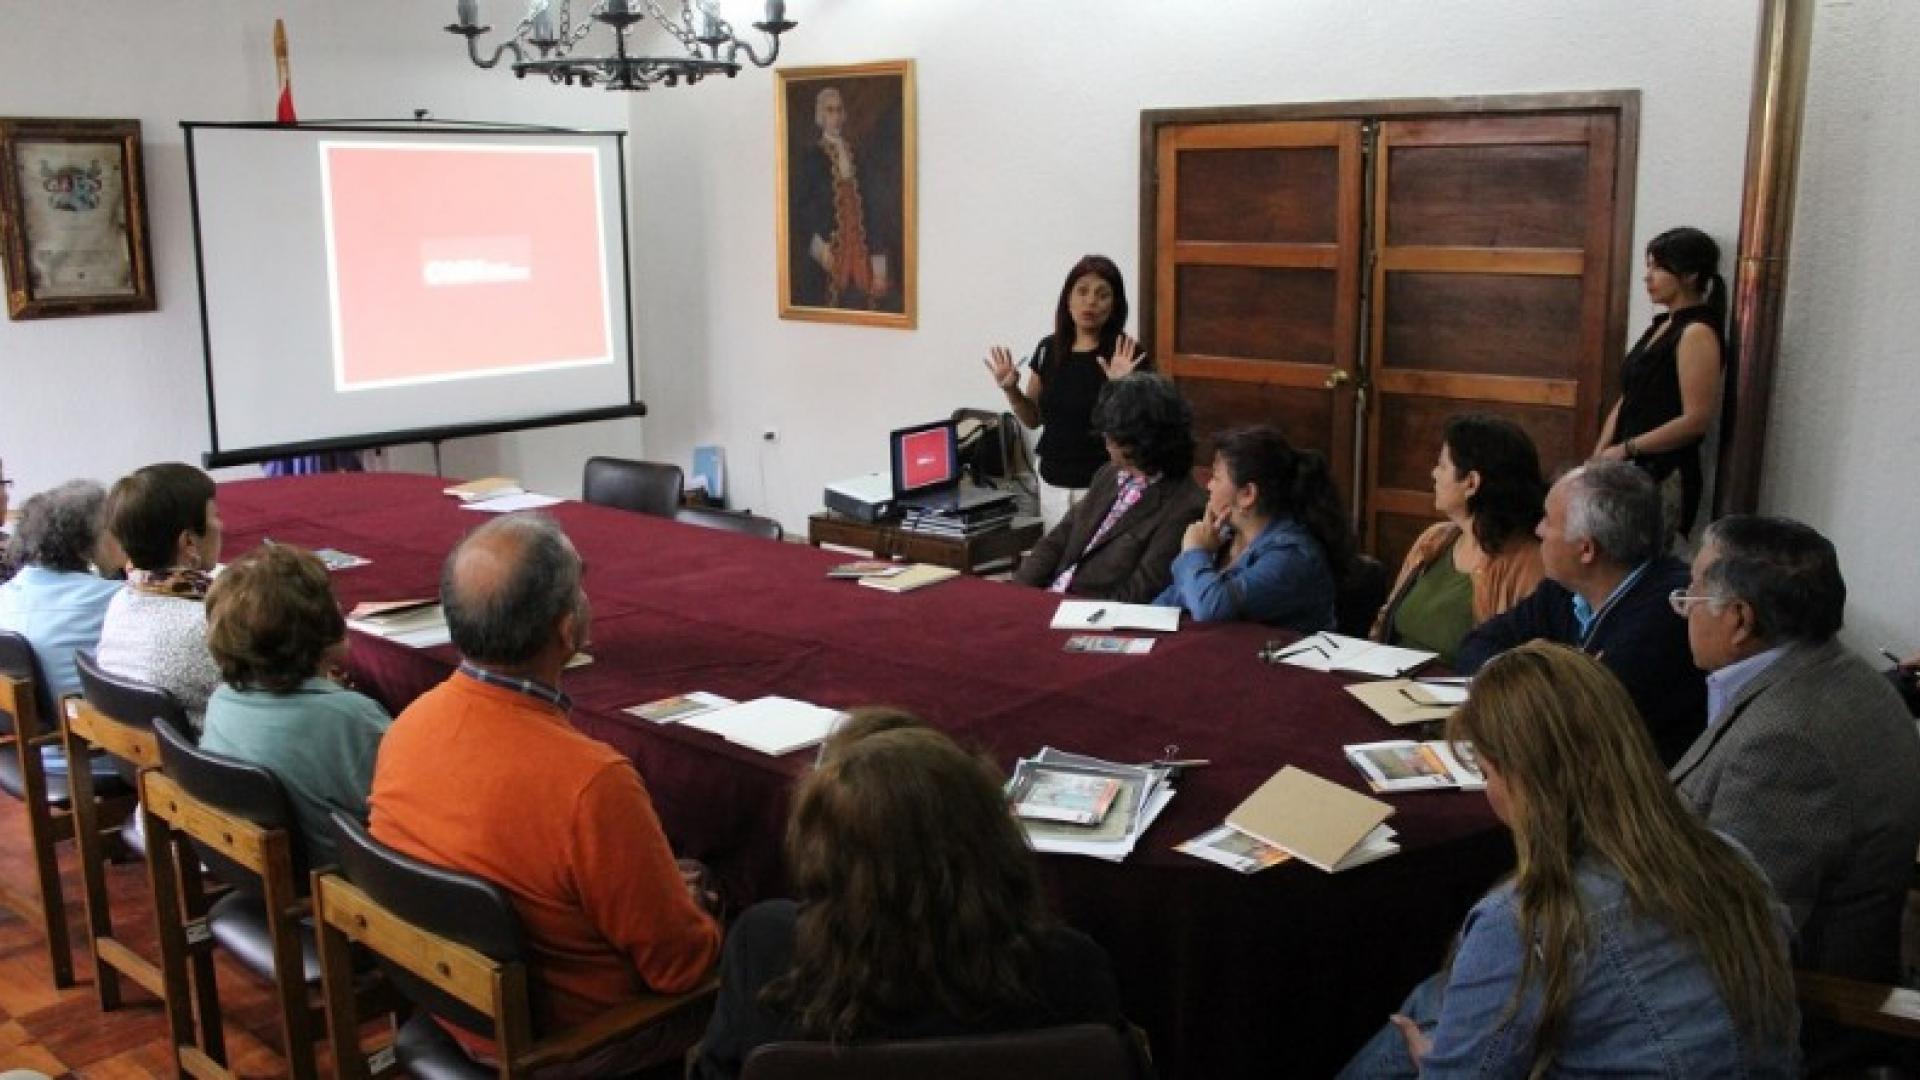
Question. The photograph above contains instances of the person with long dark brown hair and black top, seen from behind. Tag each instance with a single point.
(921, 914)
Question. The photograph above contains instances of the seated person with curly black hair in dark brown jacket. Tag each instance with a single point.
(1120, 541)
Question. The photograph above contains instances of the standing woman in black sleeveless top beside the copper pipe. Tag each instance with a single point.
(1671, 380)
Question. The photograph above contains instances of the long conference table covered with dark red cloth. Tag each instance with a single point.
(1280, 973)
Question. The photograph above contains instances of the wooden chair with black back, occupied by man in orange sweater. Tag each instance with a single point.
(454, 946)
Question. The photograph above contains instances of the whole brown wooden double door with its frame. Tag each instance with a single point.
(1360, 280)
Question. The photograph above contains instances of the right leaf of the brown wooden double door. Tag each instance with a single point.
(1493, 291)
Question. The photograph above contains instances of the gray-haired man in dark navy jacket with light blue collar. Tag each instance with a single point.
(1606, 595)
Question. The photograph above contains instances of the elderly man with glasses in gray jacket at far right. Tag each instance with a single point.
(1810, 758)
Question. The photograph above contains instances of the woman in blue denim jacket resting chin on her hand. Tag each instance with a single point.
(1274, 539)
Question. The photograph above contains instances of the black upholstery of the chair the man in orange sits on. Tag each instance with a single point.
(460, 908)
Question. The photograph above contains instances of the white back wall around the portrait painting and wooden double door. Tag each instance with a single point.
(1028, 159)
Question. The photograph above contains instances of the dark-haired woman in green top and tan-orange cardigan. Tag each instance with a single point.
(1485, 556)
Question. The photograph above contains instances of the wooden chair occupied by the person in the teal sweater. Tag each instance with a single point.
(237, 820)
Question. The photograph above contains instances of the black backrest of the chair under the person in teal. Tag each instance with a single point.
(237, 789)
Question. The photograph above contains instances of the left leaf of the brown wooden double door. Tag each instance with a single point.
(1257, 280)
